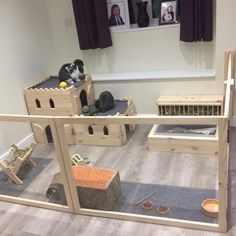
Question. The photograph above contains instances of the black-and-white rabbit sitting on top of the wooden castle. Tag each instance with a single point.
(72, 72)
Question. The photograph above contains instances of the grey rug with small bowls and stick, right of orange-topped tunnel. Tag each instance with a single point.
(184, 203)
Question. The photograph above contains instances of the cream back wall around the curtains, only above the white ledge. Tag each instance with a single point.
(141, 50)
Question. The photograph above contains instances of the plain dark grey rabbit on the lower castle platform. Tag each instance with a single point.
(105, 102)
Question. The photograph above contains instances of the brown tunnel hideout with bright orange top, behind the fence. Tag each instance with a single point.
(98, 188)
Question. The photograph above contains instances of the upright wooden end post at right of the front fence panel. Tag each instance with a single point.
(223, 173)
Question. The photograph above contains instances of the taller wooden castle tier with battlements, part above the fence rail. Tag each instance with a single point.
(43, 99)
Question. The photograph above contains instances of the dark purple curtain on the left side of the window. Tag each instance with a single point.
(92, 25)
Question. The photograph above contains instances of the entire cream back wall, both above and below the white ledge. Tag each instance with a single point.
(141, 50)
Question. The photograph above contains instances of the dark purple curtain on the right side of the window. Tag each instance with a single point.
(196, 20)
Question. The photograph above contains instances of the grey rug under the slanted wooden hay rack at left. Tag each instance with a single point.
(27, 174)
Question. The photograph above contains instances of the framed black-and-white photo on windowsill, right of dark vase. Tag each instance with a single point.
(168, 12)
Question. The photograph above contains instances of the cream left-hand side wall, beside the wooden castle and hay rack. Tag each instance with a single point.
(27, 53)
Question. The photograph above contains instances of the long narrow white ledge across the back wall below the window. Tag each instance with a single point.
(154, 75)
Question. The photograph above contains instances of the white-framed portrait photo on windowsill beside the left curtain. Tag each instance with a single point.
(118, 14)
